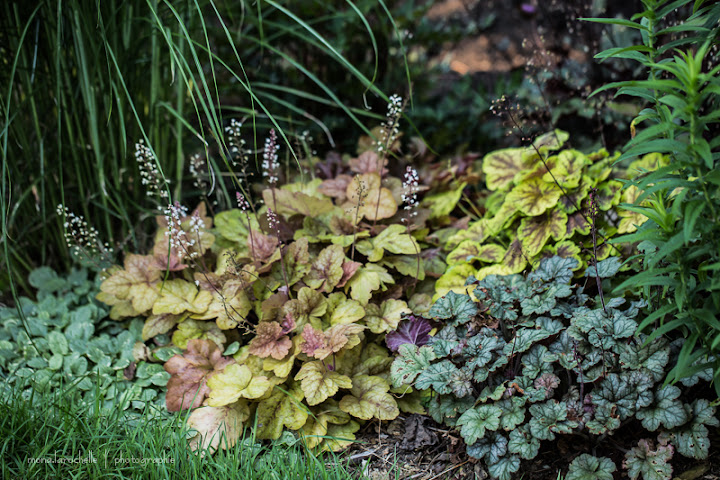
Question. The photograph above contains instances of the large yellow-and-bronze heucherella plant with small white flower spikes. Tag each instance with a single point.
(277, 311)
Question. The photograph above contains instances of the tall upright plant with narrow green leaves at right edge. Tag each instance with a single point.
(681, 239)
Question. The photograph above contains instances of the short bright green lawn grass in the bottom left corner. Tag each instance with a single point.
(47, 436)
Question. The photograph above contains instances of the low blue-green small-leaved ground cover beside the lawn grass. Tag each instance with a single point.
(64, 340)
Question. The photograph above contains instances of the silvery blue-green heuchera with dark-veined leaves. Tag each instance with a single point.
(531, 358)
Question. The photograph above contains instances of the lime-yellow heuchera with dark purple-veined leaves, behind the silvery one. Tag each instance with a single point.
(541, 207)
